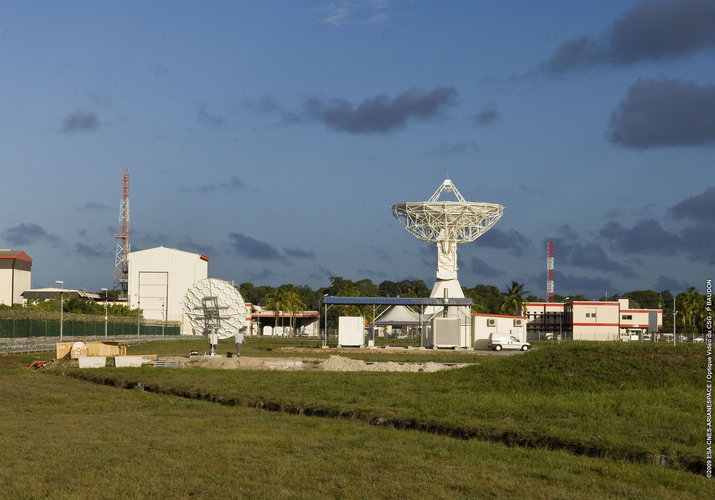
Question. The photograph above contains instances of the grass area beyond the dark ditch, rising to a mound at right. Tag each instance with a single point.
(625, 401)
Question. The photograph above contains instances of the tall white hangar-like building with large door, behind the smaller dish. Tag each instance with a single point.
(158, 281)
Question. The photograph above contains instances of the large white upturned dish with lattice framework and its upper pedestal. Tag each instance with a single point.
(447, 224)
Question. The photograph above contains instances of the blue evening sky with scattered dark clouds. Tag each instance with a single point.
(274, 137)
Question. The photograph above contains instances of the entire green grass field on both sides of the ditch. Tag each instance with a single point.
(562, 421)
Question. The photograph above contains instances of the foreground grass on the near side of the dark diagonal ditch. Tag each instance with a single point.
(65, 438)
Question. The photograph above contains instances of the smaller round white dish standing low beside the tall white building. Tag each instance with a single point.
(215, 307)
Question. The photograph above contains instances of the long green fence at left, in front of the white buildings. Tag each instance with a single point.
(19, 328)
